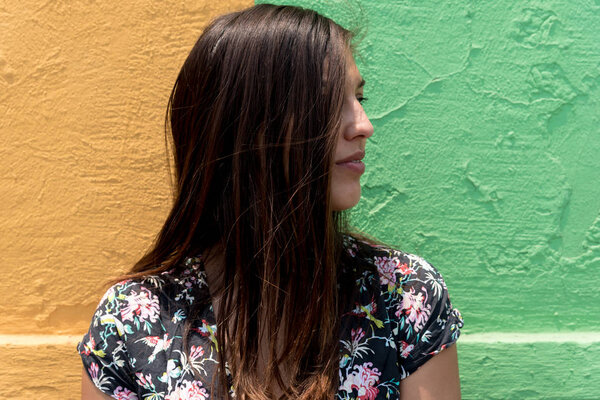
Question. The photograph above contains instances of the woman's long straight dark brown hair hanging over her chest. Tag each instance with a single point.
(254, 116)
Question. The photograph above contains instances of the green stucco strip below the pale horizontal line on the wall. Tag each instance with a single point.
(538, 370)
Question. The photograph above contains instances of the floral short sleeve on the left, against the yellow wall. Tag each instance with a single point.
(103, 348)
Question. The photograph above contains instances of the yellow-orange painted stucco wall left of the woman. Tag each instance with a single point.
(83, 183)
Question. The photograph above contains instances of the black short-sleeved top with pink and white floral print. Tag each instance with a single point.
(134, 347)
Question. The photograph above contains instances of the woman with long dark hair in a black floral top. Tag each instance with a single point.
(254, 288)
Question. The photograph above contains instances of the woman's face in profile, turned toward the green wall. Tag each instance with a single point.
(350, 149)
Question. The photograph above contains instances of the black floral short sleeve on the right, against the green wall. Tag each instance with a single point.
(426, 321)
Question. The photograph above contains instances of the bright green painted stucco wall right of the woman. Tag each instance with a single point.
(486, 161)
